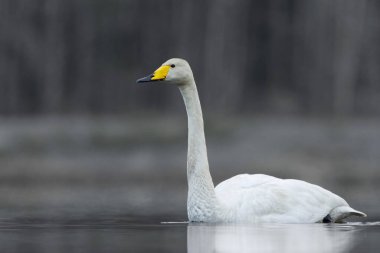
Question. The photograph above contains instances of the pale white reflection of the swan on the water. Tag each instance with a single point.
(269, 238)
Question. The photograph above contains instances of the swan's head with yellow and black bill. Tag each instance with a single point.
(176, 71)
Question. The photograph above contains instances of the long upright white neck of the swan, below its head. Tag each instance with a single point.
(201, 199)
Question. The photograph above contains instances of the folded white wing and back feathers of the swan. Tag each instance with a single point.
(262, 198)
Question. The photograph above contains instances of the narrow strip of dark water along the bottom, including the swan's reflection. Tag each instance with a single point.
(121, 234)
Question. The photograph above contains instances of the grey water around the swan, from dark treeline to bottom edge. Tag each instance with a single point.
(113, 186)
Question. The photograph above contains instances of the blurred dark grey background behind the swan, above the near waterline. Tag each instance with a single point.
(289, 88)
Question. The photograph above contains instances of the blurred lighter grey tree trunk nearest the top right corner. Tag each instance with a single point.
(350, 16)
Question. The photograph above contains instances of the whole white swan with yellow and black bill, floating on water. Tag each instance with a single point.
(245, 198)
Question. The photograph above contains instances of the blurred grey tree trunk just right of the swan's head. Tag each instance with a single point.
(226, 53)
